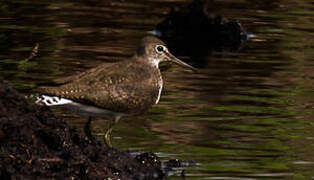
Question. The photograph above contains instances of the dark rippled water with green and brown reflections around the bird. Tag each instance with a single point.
(245, 115)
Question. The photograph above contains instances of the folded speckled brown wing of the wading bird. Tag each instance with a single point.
(109, 88)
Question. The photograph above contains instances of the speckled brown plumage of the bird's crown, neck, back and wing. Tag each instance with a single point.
(130, 86)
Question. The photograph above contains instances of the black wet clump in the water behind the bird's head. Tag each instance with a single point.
(196, 29)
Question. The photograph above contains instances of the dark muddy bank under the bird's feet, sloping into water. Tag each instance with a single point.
(34, 144)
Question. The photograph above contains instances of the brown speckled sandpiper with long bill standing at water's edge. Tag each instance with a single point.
(114, 90)
